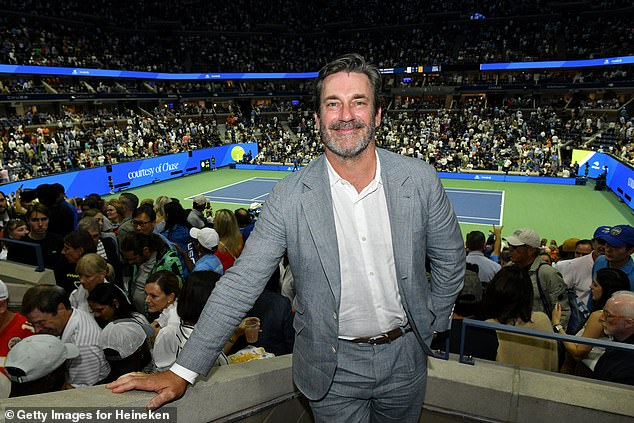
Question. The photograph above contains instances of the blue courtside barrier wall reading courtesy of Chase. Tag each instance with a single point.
(137, 173)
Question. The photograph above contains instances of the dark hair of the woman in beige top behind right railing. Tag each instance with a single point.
(509, 295)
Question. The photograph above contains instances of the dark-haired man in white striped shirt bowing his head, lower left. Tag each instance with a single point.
(48, 309)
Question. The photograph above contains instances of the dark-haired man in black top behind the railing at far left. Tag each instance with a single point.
(51, 244)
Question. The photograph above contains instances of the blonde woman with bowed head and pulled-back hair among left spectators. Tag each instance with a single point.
(93, 270)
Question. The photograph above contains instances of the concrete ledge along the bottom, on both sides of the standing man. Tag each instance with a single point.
(263, 391)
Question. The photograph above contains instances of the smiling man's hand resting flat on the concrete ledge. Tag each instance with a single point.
(167, 385)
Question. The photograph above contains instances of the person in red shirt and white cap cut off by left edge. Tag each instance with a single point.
(13, 326)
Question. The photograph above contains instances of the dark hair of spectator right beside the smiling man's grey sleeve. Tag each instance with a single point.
(193, 297)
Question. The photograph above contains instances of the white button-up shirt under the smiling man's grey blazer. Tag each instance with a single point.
(370, 299)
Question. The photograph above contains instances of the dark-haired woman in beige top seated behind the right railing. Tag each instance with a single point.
(509, 300)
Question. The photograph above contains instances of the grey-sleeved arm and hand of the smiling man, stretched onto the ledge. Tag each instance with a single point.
(232, 297)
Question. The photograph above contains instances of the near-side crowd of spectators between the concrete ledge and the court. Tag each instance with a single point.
(133, 275)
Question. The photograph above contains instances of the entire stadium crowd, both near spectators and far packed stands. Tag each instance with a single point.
(133, 275)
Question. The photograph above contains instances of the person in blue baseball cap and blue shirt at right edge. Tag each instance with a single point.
(619, 247)
